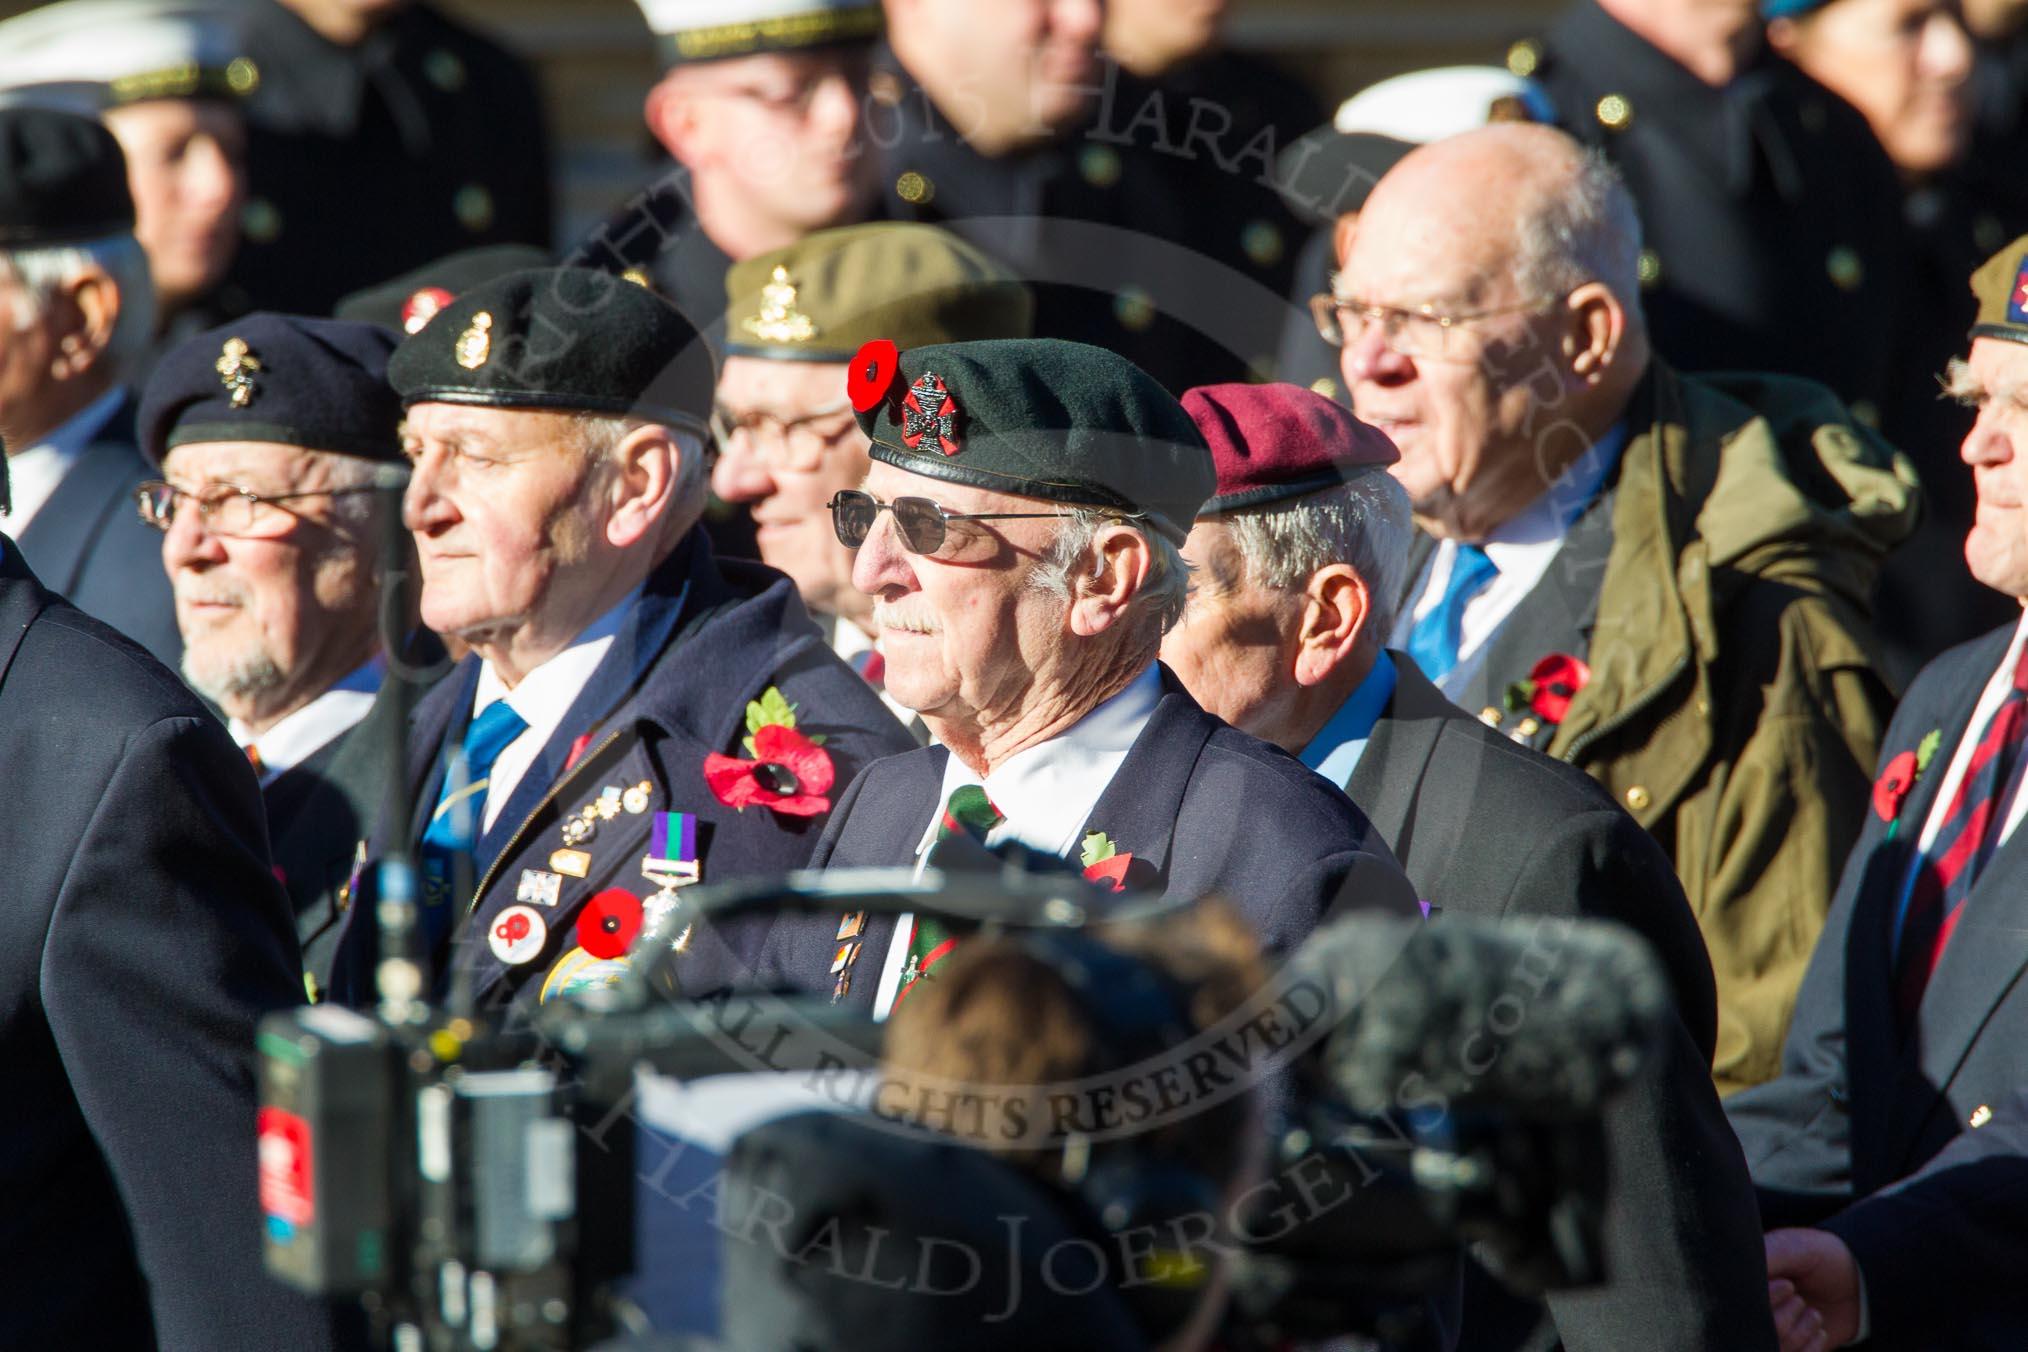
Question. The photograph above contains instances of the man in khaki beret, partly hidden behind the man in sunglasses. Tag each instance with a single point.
(786, 431)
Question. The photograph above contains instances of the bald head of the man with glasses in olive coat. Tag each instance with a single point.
(1510, 260)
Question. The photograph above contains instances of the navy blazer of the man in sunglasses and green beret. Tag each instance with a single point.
(1202, 804)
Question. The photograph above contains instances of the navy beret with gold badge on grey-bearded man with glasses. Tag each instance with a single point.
(277, 378)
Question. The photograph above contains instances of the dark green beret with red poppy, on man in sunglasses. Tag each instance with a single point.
(1039, 419)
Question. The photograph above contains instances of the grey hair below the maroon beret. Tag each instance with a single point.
(1364, 522)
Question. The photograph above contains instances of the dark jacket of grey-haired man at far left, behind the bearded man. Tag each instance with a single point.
(90, 546)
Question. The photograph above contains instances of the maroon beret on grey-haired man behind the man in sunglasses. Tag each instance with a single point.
(1275, 443)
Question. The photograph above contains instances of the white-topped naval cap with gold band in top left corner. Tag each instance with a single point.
(90, 56)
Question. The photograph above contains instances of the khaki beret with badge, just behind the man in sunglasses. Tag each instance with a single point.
(830, 293)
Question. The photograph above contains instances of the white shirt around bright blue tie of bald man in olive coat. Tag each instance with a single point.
(1522, 548)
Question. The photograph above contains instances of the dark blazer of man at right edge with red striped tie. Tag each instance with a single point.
(1859, 1106)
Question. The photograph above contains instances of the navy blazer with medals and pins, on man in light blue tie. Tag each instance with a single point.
(707, 640)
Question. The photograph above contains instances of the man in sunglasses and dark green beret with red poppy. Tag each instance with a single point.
(1019, 534)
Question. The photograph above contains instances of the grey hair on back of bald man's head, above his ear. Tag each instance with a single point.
(1589, 232)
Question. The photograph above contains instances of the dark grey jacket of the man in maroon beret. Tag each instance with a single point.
(1494, 830)
